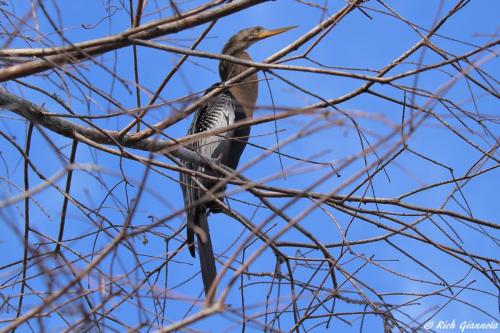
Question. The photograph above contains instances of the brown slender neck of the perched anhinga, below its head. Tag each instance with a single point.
(245, 92)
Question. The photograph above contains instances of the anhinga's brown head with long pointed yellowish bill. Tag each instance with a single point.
(246, 37)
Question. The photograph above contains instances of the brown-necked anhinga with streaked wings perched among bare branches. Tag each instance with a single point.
(235, 104)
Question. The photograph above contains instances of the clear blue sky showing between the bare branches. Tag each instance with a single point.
(357, 42)
